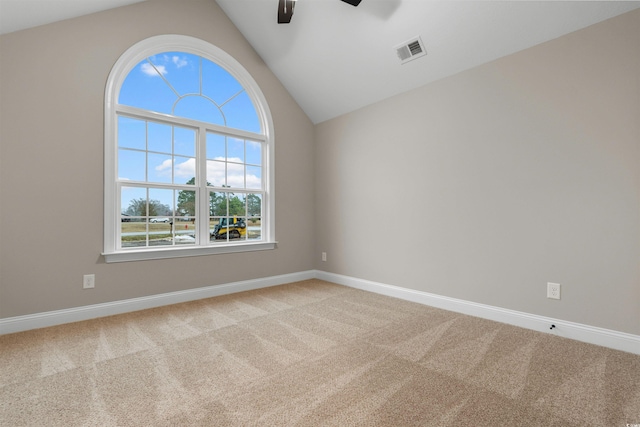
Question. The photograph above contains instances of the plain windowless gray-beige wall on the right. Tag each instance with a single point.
(487, 185)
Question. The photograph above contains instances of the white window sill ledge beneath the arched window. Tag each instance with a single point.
(173, 252)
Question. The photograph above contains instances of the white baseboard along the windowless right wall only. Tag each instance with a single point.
(576, 331)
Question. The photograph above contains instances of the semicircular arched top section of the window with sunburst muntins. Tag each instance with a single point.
(187, 77)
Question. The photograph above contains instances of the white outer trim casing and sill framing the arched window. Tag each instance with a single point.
(124, 65)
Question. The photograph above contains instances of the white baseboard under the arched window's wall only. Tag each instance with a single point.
(58, 317)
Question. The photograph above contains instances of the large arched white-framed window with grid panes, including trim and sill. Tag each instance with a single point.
(188, 154)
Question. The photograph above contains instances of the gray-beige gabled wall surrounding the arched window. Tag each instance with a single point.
(51, 152)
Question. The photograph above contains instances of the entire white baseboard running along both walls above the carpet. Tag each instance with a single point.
(590, 334)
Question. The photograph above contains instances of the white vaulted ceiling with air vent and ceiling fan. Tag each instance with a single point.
(335, 58)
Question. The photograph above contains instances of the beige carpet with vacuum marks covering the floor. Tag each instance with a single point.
(310, 354)
